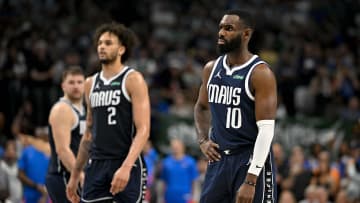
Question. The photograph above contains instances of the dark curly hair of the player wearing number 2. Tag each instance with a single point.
(125, 35)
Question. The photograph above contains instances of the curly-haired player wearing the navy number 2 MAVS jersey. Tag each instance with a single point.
(118, 124)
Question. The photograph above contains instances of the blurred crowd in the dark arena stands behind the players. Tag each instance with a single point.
(312, 46)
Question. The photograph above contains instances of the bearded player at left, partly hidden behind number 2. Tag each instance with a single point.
(66, 127)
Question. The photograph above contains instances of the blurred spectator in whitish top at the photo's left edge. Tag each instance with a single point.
(9, 165)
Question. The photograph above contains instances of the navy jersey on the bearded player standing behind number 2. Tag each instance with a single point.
(77, 131)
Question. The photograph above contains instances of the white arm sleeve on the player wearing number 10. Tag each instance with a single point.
(262, 145)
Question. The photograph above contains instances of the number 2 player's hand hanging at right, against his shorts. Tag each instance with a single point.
(120, 179)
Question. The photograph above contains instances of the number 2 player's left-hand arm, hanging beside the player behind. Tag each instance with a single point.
(84, 147)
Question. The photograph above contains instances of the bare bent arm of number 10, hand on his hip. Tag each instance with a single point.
(202, 117)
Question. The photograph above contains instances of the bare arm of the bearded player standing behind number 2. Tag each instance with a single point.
(61, 120)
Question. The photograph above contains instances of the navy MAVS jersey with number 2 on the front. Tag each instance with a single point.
(113, 128)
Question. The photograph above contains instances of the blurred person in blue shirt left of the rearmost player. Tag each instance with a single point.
(33, 165)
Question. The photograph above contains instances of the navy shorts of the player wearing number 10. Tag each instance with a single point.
(223, 179)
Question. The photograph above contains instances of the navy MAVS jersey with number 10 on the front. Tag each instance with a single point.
(232, 104)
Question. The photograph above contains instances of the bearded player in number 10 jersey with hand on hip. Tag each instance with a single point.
(239, 92)
